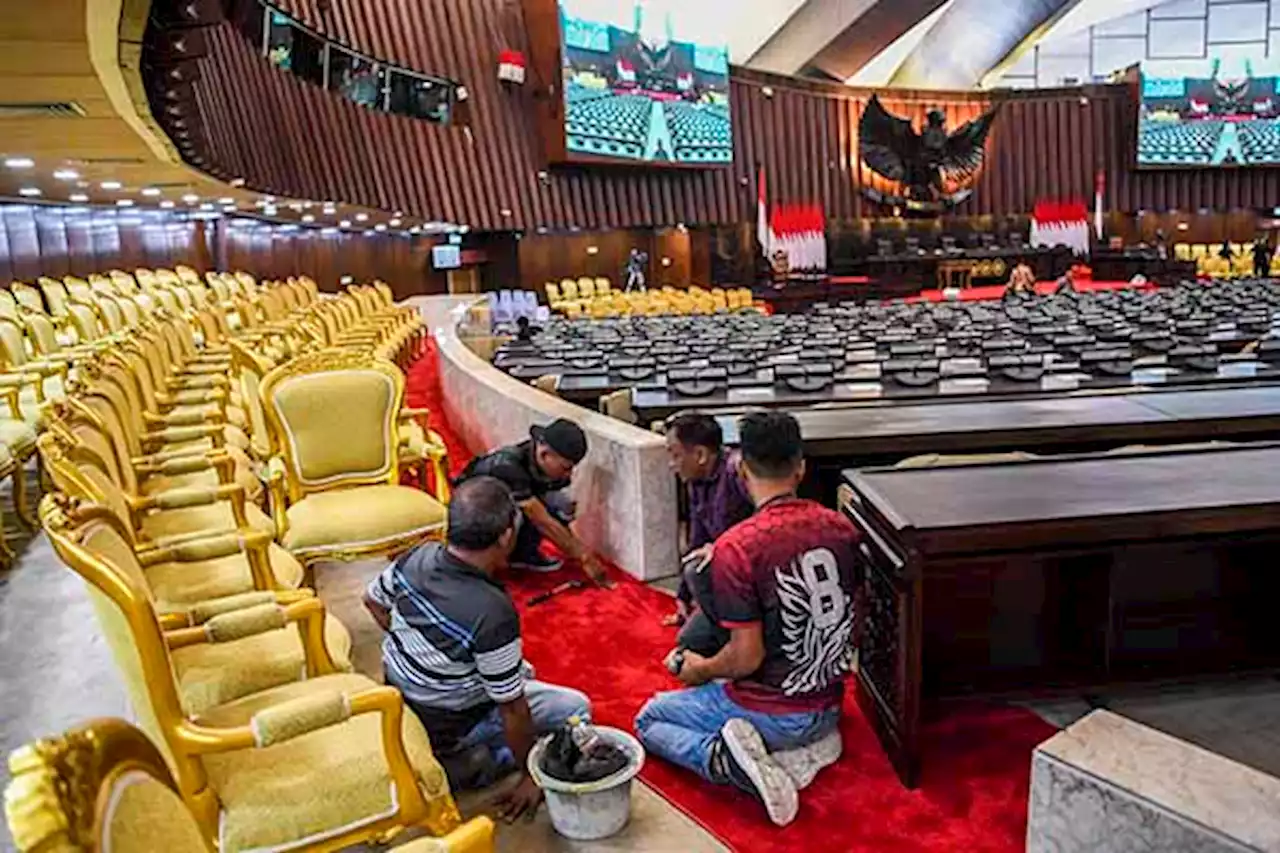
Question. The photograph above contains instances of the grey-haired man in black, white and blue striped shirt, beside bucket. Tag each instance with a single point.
(454, 647)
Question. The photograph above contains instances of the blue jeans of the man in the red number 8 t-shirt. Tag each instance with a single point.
(683, 726)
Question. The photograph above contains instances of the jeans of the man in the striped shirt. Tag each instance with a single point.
(550, 705)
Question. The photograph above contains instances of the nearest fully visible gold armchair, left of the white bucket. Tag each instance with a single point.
(319, 764)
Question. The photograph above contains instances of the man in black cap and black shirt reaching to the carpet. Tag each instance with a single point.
(538, 472)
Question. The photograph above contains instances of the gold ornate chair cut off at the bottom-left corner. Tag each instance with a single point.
(106, 787)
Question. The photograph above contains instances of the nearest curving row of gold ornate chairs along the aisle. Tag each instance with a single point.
(237, 676)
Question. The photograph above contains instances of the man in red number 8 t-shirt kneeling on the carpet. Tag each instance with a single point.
(762, 713)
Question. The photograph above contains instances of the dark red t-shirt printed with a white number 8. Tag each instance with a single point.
(794, 568)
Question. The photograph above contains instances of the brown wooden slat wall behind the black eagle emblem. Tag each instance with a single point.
(292, 139)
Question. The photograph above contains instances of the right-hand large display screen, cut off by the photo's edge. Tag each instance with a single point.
(1209, 115)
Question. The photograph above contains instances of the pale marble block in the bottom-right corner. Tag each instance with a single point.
(1109, 784)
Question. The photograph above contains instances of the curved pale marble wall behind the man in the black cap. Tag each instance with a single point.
(627, 496)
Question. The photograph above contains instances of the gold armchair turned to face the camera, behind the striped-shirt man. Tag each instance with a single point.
(335, 423)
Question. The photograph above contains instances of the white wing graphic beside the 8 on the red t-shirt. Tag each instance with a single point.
(819, 655)
